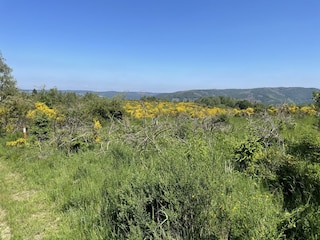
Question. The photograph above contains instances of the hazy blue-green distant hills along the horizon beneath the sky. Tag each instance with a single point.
(280, 95)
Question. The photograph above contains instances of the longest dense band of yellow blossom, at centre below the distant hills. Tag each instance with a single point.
(140, 109)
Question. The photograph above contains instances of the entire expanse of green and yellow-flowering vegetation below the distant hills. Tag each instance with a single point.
(98, 168)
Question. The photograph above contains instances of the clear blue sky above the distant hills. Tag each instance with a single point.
(161, 45)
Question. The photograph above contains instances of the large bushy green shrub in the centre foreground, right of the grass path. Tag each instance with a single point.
(184, 194)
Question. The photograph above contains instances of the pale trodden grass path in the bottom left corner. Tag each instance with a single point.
(25, 210)
